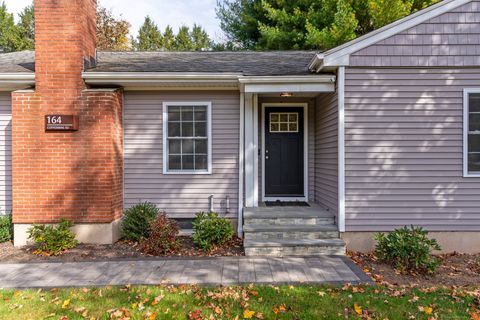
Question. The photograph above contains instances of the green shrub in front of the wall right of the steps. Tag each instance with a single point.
(408, 250)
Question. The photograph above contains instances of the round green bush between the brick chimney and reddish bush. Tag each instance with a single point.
(137, 219)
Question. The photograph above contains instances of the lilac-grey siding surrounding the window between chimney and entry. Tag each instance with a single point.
(181, 196)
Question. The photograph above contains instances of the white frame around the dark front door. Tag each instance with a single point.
(305, 150)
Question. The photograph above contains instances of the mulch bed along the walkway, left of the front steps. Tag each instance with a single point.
(119, 250)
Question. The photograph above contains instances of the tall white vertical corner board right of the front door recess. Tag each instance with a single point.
(341, 149)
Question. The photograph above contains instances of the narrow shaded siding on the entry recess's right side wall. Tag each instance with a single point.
(326, 151)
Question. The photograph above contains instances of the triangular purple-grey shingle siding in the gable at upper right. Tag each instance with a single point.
(451, 39)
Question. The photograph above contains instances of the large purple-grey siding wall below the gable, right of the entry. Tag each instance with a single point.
(403, 149)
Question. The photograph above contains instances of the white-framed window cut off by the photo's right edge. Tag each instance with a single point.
(471, 132)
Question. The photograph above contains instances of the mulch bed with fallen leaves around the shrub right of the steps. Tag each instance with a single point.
(455, 270)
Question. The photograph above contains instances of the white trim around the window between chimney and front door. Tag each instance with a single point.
(167, 104)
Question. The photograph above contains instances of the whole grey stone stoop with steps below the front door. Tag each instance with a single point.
(291, 231)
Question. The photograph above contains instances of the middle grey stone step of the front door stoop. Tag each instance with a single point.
(275, 232)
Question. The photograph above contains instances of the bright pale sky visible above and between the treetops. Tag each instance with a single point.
(164, 12)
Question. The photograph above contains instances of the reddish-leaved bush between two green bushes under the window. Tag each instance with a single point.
(162, 237)
